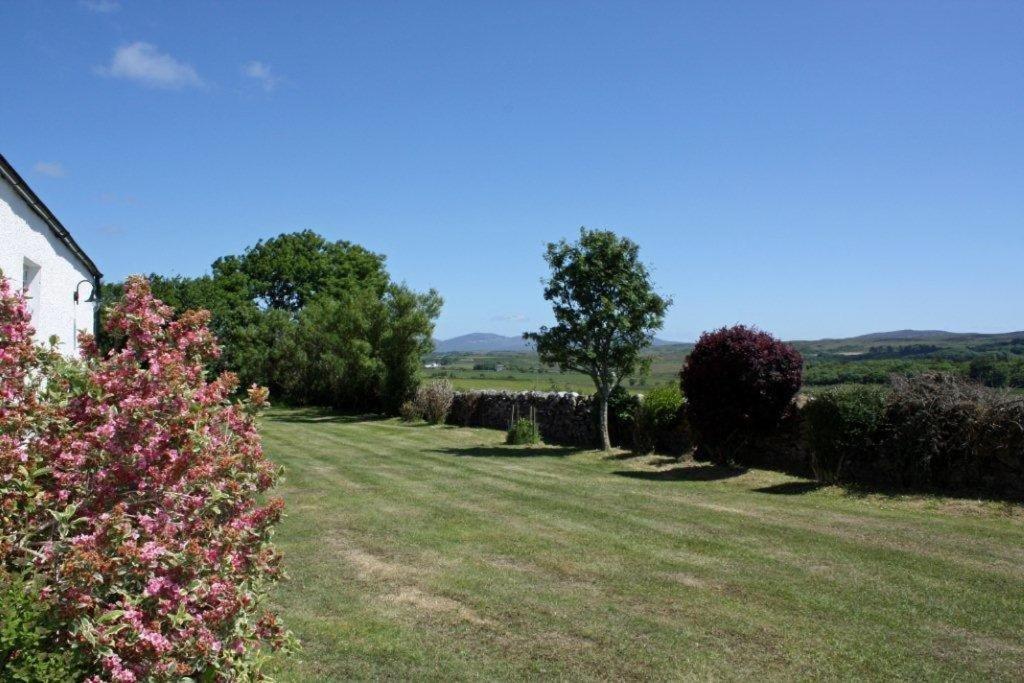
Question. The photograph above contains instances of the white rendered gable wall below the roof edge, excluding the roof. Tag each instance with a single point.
(24, 235)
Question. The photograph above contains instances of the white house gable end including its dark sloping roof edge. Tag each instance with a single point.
(41, 259)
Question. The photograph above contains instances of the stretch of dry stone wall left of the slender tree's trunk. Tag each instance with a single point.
(563, 417)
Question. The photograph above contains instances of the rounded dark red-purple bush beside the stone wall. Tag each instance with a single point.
(738, 382)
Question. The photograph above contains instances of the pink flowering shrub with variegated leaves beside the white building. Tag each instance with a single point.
(134, 487)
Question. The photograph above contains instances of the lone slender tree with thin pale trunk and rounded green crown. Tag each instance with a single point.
(606, 310)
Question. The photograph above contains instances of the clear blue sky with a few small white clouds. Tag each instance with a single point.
(818, 169)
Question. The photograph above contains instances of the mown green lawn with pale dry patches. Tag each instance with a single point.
(436, 552)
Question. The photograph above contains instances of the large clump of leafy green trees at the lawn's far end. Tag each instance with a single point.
(319, 323)
